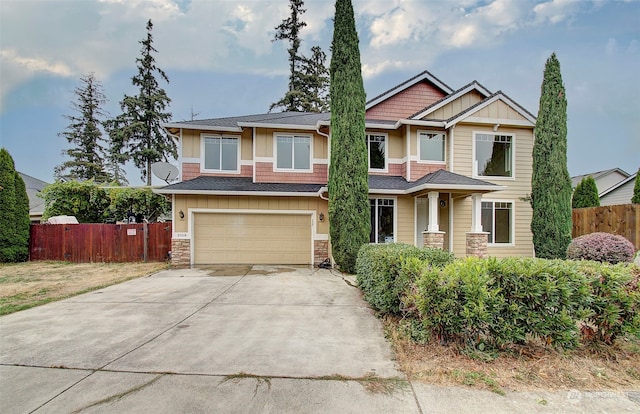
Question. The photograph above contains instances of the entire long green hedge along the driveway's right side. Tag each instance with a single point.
(501, 302)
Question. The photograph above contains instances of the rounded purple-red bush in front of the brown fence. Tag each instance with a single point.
(601, 247)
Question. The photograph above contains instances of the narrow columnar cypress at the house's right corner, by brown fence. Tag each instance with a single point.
(550, 182)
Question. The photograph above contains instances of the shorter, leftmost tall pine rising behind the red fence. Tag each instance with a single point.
(84, 132)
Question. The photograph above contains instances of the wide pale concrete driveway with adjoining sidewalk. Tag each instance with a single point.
(235, 339)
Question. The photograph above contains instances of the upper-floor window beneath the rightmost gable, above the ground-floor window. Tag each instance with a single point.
(494, 155)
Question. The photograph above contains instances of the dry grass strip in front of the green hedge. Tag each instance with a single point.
(613, 368)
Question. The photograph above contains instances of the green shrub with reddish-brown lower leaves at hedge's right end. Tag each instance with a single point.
(615, 307)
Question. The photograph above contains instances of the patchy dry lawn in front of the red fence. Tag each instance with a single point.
(25, 285)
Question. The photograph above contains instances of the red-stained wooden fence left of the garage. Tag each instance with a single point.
(86, 243)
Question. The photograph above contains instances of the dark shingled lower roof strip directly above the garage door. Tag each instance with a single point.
(237, 185)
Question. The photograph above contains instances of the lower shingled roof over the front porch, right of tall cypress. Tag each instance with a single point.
(438, 180)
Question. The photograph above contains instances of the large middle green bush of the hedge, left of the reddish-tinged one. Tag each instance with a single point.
(502, 302)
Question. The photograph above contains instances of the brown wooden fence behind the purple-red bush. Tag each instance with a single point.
(623, 219)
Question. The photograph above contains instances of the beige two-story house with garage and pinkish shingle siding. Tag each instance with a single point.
(447, 168)
